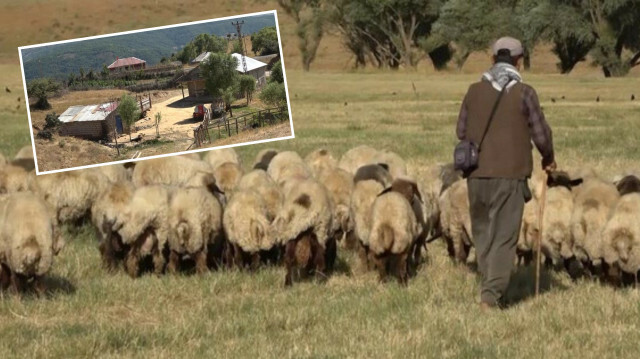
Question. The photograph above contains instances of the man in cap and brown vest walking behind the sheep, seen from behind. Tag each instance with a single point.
(497, 186)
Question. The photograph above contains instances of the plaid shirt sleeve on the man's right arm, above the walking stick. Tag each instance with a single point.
(538, 126)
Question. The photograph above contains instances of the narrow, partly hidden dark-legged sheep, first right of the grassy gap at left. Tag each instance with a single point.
(104, 214)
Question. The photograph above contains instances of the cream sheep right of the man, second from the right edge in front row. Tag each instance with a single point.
(592, 204)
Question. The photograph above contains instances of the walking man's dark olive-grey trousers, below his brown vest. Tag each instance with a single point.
(496, 206)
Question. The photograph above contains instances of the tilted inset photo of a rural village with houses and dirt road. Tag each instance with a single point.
(155, 92)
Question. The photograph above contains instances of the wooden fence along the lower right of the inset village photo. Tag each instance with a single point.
(228, 126)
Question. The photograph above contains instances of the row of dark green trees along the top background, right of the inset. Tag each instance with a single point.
(401, 33)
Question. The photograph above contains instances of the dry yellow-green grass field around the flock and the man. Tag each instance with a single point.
(233, 314)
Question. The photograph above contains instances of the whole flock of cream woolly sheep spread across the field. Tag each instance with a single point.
(174, 213)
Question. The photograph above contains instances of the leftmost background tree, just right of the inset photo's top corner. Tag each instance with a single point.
(309, 16)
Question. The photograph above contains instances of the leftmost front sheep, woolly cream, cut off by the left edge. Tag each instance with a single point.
(28, 240)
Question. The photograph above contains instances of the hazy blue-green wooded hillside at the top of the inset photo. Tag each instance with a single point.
(61, 59)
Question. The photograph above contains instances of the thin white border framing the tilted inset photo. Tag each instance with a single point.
(286, 87)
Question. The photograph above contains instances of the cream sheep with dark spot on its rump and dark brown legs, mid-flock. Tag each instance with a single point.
(306, 214)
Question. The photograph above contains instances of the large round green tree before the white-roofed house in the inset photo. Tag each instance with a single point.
(220, 76)
